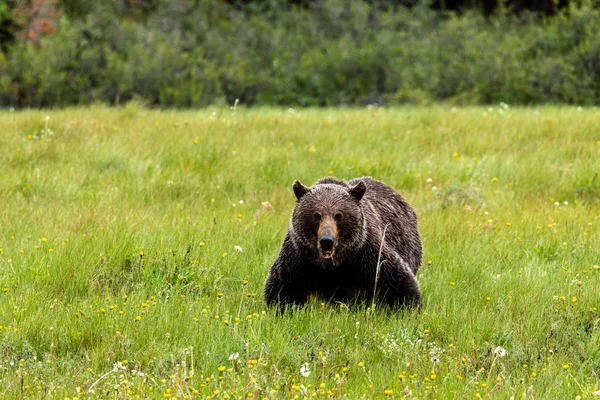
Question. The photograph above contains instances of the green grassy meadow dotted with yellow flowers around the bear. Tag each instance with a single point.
(134, 245)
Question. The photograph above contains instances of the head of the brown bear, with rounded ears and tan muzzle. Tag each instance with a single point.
(327, 224)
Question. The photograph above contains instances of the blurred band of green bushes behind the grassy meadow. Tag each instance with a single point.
(186, 53)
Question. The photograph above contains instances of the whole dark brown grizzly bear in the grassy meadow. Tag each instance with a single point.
(335, 246)
